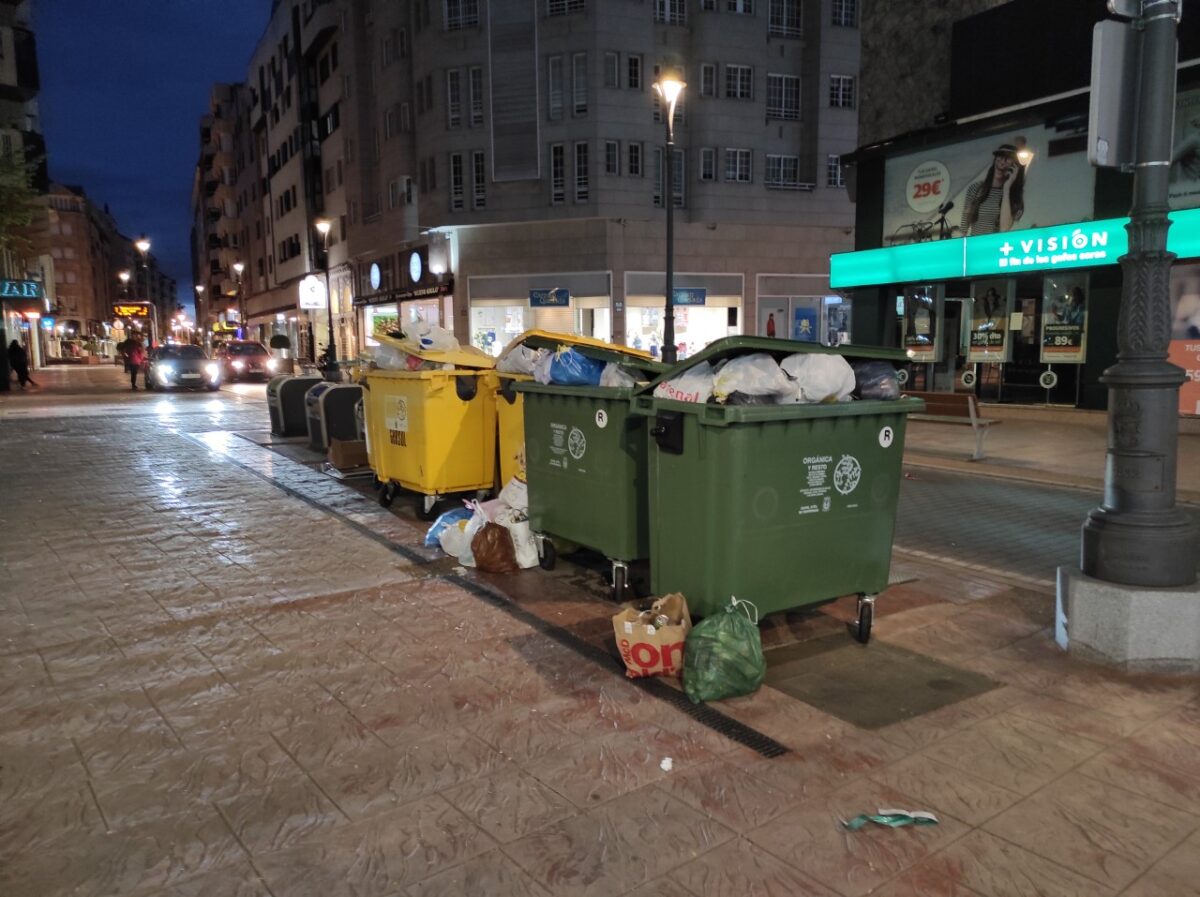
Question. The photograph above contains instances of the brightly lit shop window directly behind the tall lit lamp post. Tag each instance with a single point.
(707, 308)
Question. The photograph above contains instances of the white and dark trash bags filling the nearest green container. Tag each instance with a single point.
(805, 378)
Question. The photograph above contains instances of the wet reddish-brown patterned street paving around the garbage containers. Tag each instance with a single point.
(225, 673)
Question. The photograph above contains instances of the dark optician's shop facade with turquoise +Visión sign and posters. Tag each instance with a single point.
(988, 246)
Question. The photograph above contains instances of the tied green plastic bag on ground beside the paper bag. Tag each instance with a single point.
(723, 655)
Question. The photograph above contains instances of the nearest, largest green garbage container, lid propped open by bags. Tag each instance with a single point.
(787, 507)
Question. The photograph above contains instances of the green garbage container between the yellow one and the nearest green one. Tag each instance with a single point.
(586, 465)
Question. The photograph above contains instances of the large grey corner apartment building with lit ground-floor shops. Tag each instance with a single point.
(495, 167)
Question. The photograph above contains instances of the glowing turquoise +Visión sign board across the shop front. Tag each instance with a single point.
(1067, 246)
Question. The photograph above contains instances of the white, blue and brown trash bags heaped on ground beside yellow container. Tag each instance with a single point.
(493, 537)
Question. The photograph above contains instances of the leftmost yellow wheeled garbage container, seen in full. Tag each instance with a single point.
(431, 426)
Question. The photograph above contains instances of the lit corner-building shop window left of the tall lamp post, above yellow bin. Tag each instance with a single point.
(505, 306)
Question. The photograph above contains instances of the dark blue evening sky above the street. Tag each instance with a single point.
(124, 86)
